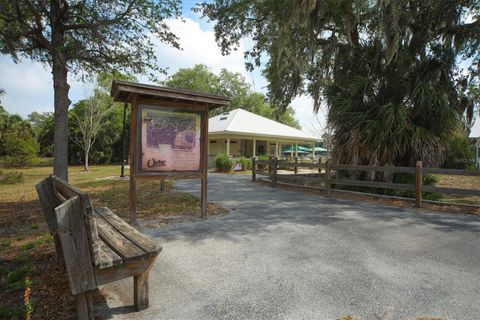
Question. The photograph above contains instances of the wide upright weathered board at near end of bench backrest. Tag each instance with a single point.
(73, 236)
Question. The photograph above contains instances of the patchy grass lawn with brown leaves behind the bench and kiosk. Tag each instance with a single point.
(30, 284)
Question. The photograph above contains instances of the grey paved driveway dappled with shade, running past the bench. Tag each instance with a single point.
(288, 255)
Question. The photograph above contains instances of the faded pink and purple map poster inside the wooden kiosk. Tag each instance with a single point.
(170, 140)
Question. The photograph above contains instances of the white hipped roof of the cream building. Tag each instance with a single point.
(242, 122)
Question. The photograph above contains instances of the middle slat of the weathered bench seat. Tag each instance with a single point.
(117, 242)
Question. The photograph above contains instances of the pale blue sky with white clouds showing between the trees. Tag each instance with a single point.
(28, 84)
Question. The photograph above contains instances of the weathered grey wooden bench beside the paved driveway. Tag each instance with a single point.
(94, 244)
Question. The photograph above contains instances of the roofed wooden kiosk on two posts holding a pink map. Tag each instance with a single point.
(168, 134)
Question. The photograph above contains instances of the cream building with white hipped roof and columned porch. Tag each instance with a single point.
(240, 133)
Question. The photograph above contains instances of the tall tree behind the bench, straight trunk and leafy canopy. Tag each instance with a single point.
(84, 37)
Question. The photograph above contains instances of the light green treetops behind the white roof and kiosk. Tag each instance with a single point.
(232, 85)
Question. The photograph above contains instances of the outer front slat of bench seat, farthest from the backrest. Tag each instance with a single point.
(129, 232)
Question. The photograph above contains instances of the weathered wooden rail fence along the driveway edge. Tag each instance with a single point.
(330, 178)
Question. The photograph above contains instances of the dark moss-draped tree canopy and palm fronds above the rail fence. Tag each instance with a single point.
(389, 71)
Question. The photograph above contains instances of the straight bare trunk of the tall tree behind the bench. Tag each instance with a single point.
(61, 102)
